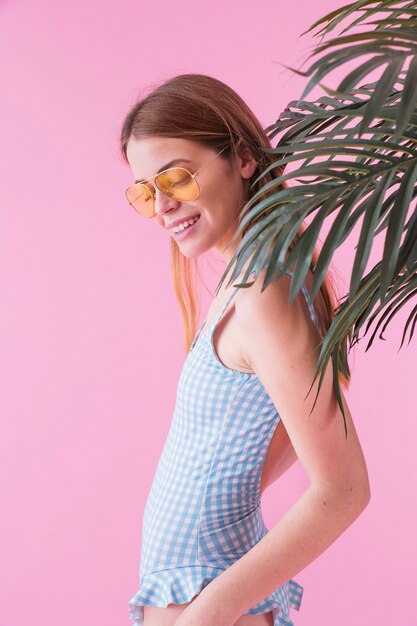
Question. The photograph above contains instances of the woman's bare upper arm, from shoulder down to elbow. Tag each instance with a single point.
(281, 345)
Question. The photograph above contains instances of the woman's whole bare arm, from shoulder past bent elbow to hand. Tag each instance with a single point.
(280, 345)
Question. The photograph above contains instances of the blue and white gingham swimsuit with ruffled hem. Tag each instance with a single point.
(203, 510)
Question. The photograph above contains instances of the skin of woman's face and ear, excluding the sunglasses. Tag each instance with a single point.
(222, 183)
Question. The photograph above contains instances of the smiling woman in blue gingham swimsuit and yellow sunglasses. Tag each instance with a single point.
(241, 417)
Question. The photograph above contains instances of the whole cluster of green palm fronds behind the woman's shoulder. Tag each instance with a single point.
(354, 157)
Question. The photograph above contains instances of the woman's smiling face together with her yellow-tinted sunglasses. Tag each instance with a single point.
(198, 193)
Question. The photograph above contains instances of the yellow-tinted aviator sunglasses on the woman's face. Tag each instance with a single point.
(176, 182)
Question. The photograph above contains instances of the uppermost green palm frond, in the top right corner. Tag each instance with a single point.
(392, 42)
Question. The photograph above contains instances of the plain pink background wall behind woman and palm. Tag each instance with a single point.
(89, 363)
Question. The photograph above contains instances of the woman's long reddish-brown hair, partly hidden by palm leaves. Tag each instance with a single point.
(201, 108)
